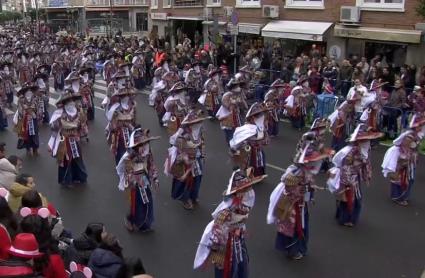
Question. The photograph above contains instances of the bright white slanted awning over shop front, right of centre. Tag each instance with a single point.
(298, 30)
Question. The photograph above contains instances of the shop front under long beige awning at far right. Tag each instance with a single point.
(395, 46)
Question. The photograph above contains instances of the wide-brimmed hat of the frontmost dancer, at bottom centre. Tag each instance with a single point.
(241, 180)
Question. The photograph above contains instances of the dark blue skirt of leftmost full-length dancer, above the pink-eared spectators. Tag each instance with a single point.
(73, 171)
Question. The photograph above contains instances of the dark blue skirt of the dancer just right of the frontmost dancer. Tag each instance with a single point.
(294, 245)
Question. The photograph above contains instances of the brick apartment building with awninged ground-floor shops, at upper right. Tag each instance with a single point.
(338, 27)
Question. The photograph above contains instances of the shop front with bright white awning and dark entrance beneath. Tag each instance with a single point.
(297, 37)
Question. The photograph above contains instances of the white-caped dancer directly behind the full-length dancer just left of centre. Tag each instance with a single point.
(176, 107)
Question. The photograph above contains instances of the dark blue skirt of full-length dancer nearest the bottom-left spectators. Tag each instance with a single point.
(141, 215)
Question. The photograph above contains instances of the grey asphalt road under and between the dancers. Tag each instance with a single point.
(389, 240)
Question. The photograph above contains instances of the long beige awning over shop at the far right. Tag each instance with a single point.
(378, 34)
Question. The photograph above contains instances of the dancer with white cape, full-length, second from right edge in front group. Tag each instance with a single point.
(352, 168)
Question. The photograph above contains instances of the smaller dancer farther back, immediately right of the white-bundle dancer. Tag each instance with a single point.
(271, 101)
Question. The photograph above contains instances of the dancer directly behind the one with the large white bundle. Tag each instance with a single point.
(229, 113)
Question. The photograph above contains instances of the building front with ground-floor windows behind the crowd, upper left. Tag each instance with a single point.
(98, 16)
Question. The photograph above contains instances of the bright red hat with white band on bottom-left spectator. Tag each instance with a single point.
(25, 245)
